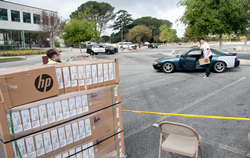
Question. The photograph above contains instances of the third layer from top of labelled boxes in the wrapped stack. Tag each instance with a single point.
(48, 143)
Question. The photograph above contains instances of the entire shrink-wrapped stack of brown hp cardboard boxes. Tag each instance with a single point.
(62, 110)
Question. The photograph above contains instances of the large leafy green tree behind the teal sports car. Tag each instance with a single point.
(205, 17)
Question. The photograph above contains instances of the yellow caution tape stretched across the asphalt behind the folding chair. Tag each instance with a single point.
(187, 115)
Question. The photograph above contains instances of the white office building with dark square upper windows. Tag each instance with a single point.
(18, 23)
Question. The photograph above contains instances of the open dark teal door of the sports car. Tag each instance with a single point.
(187, 62)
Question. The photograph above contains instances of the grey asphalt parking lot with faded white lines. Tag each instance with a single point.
(182, 92)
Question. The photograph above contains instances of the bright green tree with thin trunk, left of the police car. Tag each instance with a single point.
(77, 31)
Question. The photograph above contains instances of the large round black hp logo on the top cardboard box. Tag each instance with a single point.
(44, 83)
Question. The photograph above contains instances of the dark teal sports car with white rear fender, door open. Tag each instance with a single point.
(190, 61)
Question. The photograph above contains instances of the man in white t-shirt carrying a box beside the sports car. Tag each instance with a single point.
(206, 53)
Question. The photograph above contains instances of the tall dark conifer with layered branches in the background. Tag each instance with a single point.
(122, 22)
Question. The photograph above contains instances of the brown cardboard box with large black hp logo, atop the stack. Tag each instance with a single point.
(25, 84)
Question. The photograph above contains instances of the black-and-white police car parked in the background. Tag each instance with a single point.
(100, 48)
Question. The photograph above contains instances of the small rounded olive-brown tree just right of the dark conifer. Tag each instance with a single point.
(143, 31)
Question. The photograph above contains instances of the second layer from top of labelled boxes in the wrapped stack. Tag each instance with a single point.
(36, 116)
